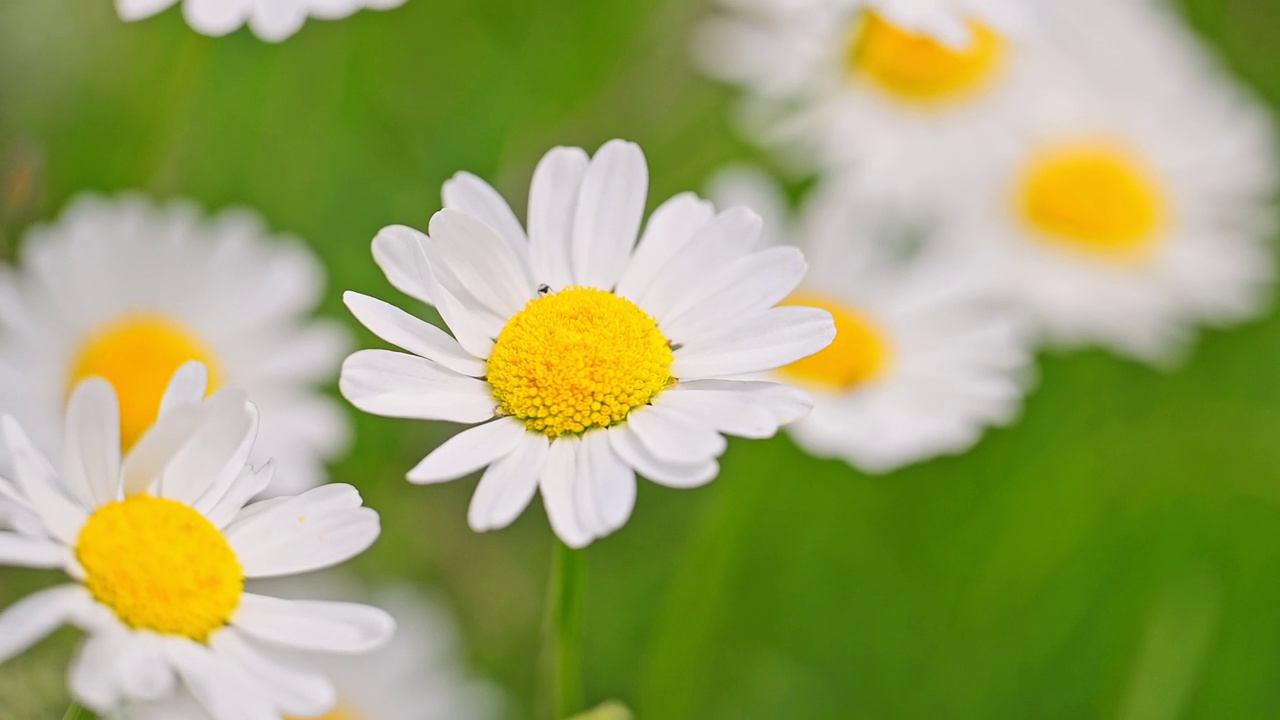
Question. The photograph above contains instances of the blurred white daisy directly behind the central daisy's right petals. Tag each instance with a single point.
(927, 353)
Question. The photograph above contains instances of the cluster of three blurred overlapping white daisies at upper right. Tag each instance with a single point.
(993, 176)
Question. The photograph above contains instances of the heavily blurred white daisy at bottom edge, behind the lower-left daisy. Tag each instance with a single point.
(418, 676)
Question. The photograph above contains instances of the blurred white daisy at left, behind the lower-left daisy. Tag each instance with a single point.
(127, 290)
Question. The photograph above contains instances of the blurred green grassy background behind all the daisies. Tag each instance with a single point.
(1117, 554)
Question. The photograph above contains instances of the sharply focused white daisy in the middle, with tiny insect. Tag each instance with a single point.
(587, 357)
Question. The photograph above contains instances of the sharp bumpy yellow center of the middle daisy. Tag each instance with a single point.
(578, 359)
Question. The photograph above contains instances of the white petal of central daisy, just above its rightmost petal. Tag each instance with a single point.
(747, 288)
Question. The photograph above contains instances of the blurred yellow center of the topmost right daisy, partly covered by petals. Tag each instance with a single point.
(917, 69)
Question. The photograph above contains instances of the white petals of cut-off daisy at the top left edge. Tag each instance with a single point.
(269, 20)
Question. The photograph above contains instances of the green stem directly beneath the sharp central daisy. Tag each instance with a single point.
(564, 644)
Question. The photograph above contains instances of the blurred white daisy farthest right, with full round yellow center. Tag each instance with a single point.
(1141, 206)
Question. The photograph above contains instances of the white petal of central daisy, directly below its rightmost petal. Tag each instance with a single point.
(739, 408)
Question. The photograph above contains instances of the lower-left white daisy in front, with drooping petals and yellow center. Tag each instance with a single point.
(158, 548)
